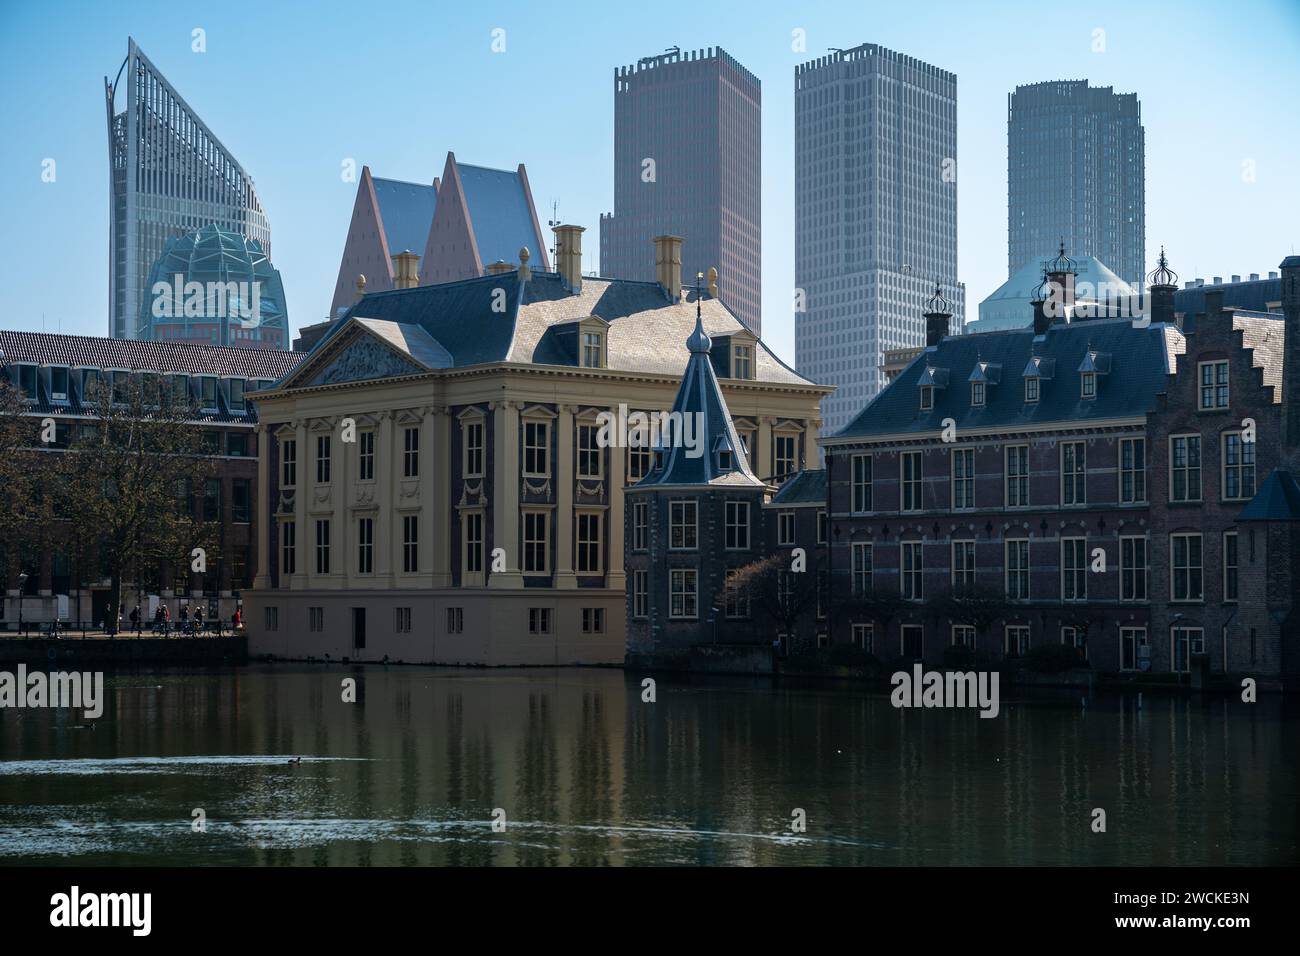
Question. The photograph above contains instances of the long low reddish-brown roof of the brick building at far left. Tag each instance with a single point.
(94, 352)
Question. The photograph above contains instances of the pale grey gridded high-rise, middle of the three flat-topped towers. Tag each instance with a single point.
(876, 215)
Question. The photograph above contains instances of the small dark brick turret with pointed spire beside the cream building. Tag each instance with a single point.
(694, 518)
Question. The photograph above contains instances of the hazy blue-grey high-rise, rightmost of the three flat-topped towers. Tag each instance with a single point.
(1076, 170)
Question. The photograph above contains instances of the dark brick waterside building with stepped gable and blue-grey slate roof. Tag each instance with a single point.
(1090, 474)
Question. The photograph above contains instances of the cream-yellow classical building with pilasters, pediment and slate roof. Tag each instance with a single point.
(439, 483)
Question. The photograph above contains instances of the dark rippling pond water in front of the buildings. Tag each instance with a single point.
(588, 775)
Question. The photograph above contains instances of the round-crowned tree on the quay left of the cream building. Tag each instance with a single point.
(132, 475)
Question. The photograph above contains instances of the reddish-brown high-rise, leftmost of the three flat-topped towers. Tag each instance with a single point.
(687, 163)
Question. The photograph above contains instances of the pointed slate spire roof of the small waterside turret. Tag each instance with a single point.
(700, 404)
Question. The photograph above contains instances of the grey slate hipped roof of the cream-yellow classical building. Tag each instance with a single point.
(647, 332)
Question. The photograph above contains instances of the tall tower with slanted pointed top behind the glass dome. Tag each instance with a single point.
(168, 176)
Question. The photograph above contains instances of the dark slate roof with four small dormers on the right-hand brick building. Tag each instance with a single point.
(1141, 361)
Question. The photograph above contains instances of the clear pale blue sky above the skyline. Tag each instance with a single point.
(296, 90)
